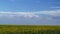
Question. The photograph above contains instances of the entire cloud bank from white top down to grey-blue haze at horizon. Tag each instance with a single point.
(39, 17)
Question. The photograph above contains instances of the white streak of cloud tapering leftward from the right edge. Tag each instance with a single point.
(53, 12)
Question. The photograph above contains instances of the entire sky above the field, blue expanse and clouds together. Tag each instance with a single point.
(30, 12)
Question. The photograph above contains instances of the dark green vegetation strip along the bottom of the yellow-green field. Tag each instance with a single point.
(33, 32)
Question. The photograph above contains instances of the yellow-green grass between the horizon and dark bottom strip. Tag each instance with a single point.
(27, 28)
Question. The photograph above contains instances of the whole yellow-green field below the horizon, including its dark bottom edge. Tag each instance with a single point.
(29, 29)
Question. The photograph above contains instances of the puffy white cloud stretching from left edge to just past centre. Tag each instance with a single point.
(20, 14)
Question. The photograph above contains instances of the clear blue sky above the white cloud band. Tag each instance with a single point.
(28, 5)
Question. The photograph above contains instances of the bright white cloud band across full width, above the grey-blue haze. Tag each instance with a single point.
(30, 14)
